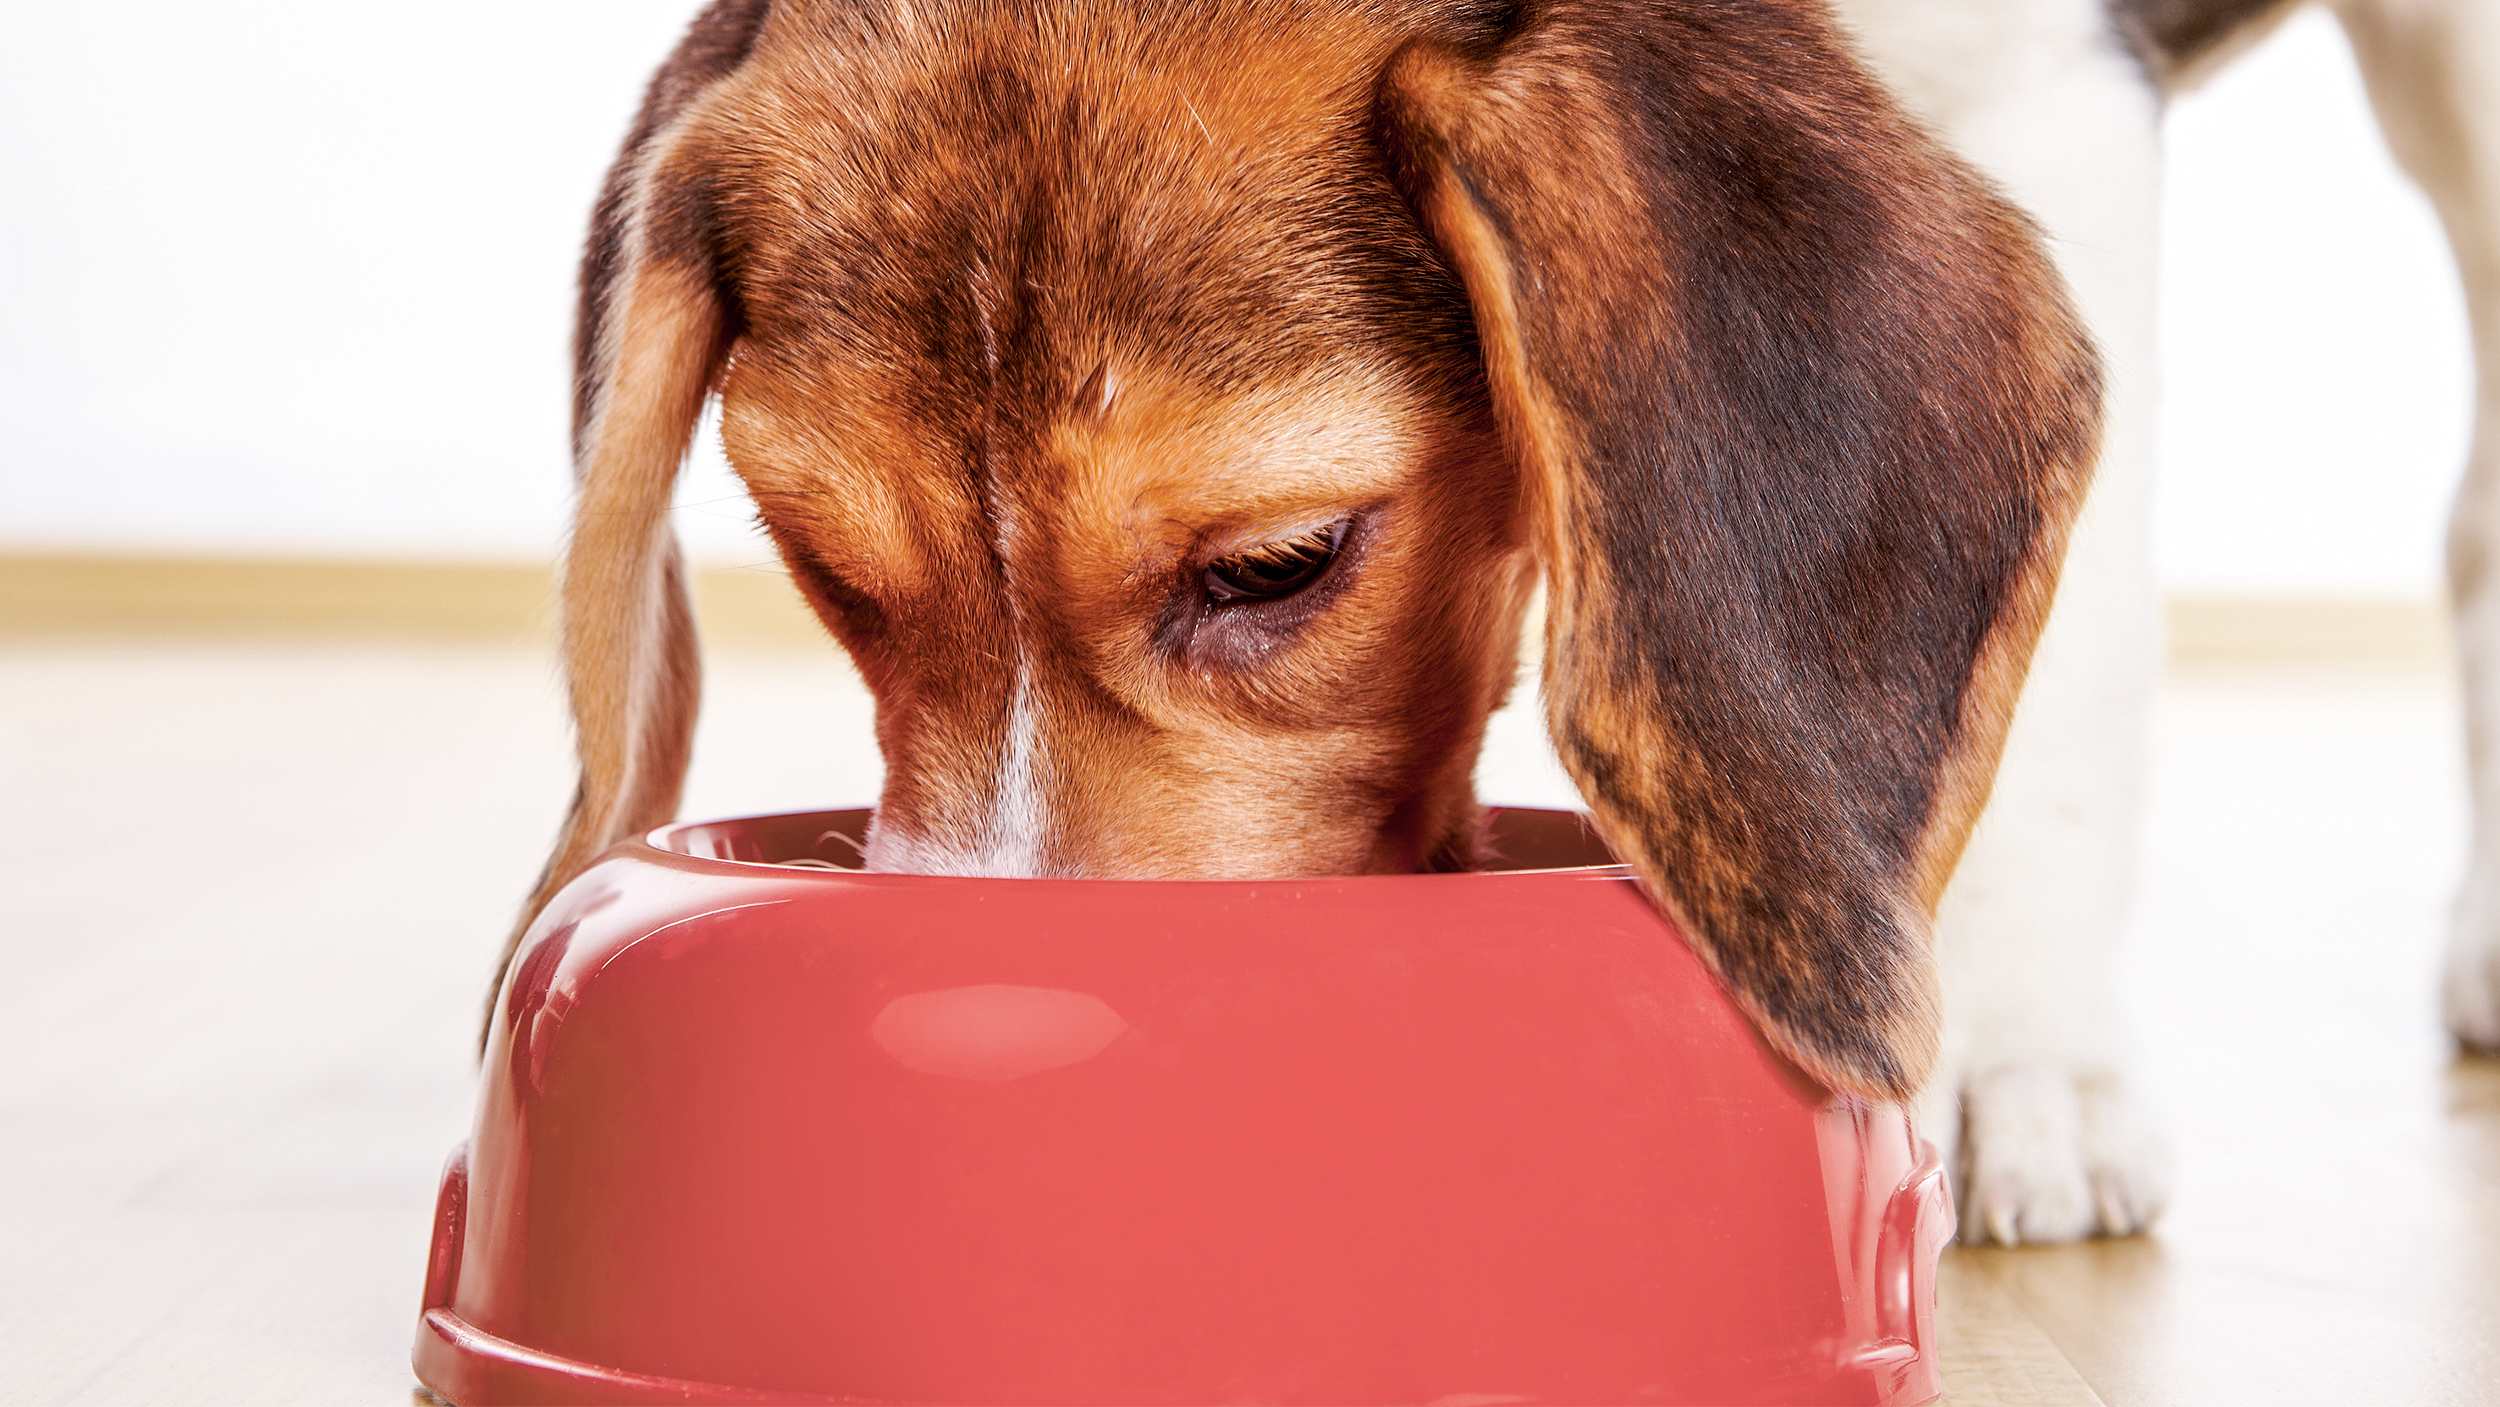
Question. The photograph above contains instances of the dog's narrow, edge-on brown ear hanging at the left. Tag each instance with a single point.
(649, 346)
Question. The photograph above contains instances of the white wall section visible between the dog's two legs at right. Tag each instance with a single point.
(2319, 376)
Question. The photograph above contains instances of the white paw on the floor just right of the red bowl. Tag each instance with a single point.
(2054, 1158)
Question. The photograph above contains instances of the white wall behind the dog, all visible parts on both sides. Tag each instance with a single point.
(294, 276)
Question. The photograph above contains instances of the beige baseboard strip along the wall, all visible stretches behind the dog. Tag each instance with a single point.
(54, 596)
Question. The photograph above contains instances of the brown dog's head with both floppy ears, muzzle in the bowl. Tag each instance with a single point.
(1171, 409)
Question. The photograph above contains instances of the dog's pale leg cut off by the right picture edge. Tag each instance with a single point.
(2434, 71)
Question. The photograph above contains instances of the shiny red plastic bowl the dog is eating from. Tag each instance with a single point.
(756, 1133)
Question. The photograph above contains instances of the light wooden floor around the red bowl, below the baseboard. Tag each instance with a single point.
(249, 896)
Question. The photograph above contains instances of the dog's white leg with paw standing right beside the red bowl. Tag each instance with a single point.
(2036, 1083)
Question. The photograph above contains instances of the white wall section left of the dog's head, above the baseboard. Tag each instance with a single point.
(296, 276)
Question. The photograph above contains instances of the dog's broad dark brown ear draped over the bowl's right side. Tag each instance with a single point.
(1804, 419)
